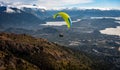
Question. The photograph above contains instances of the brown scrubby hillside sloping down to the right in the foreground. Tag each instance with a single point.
(25, 52)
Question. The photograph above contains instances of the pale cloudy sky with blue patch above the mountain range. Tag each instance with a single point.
(50, 4)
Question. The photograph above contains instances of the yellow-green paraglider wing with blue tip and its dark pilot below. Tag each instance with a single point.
(66, 18)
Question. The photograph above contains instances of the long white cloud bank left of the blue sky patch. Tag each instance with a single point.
(49, 3)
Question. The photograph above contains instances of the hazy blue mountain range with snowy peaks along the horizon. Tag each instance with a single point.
(31, 16)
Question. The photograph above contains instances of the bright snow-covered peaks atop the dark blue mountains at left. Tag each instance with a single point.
(18, 7)
